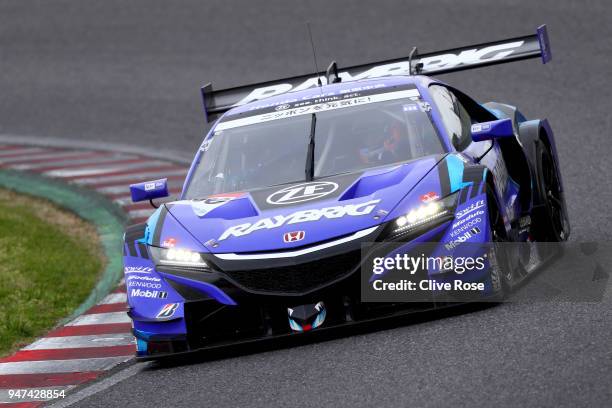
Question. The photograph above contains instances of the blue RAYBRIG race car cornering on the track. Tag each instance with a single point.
(296, 174)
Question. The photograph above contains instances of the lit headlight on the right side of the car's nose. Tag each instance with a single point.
(433, 212)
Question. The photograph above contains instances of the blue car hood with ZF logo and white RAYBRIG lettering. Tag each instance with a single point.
(298, 214)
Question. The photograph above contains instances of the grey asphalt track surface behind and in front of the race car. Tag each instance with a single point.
(130, 72)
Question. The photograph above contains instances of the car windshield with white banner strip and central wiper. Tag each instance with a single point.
(256, 151)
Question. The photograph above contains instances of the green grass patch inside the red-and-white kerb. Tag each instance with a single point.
(49, 262)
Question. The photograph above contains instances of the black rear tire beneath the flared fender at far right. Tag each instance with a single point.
(551, 223)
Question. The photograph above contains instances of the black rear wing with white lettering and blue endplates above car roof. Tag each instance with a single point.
(433, 63)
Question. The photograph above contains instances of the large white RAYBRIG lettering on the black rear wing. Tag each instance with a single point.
(432, 63)
